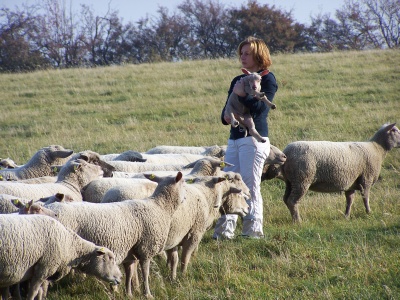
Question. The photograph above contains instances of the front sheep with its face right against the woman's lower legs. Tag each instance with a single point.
(207, 197)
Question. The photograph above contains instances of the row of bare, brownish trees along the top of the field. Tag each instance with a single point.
(50, 34)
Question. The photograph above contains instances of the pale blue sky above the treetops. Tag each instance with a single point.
(133, 10)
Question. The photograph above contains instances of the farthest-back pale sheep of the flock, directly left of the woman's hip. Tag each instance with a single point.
(215, 150)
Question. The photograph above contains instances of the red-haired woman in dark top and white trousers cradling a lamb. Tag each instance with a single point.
(244, 151)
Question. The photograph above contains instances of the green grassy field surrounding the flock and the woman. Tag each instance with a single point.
(341, 96)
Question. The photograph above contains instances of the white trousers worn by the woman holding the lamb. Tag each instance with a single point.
(248, 157)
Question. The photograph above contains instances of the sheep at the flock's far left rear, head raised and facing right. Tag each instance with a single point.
(39, 165)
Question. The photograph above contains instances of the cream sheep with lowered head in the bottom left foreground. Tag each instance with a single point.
(39, 248)
